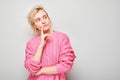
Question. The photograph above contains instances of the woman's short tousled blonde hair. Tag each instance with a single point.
(31, 15)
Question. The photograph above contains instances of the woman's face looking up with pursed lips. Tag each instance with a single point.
(42, 20)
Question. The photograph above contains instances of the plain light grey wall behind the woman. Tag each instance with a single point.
(92, 25)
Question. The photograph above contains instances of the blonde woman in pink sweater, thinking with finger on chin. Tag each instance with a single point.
(49, 54)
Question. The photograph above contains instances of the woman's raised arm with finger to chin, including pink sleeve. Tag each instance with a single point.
(33, 58)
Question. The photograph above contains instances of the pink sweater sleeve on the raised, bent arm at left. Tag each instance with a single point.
(30, 65)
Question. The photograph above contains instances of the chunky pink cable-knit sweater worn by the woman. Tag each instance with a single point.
(57, 51)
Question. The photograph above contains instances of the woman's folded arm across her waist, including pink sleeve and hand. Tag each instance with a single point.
(66, 59)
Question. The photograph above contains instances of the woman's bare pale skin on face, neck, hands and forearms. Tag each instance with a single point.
(43, 23)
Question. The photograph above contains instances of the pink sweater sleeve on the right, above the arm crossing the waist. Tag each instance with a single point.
(67, 56)
